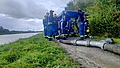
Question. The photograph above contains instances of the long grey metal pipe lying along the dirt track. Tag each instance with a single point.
(102, 45)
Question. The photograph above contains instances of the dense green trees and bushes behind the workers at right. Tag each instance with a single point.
(104, 19)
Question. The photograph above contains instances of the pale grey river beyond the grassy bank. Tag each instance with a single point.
(5, 39)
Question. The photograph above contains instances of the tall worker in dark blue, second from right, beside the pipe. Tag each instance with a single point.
(81, 24)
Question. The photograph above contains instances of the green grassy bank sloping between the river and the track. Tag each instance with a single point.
(34, 52)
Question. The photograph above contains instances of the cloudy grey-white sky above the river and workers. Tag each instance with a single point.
(27, 14)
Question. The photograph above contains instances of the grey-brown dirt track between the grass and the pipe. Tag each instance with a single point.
(92, 57)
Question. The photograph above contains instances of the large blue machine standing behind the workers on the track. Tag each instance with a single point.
(71, 17)
